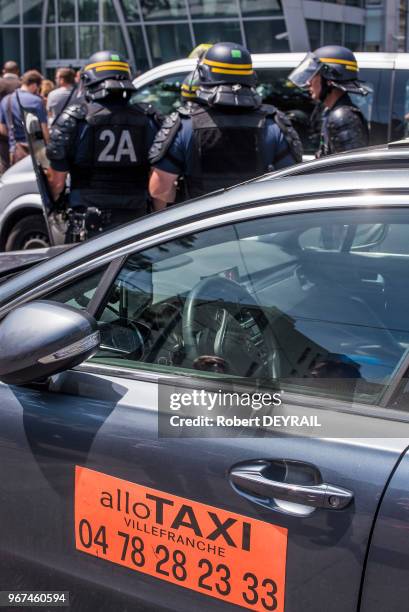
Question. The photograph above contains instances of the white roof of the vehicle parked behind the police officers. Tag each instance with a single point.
(274, 60)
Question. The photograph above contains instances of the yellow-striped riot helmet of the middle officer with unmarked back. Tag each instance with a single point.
(227, 78)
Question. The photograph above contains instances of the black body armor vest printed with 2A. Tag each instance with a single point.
(113, 157)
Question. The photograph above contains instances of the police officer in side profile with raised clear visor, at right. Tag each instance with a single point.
(331, 73)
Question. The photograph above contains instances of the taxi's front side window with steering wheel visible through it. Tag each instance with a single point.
(263, 300)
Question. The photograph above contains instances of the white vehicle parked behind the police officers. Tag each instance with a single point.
(386, 108)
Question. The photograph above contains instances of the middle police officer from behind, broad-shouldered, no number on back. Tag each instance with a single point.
(227, 136)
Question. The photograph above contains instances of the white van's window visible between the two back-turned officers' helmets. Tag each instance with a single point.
(163, 94)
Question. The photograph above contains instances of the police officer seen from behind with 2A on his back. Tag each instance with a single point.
(103, 143)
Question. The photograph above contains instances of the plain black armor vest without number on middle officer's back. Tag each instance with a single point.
(227, 148)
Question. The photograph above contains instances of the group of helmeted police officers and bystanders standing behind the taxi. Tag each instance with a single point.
(125, 160)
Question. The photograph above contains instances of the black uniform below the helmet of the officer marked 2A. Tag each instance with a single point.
(104, 146)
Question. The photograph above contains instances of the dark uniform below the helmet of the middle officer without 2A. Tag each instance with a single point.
(214, 148)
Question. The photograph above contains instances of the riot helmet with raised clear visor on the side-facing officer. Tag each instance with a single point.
(336, 65)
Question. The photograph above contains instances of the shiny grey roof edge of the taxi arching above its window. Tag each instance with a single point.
(273, 191)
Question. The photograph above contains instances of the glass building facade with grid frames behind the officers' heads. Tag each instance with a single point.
(44, 34)
